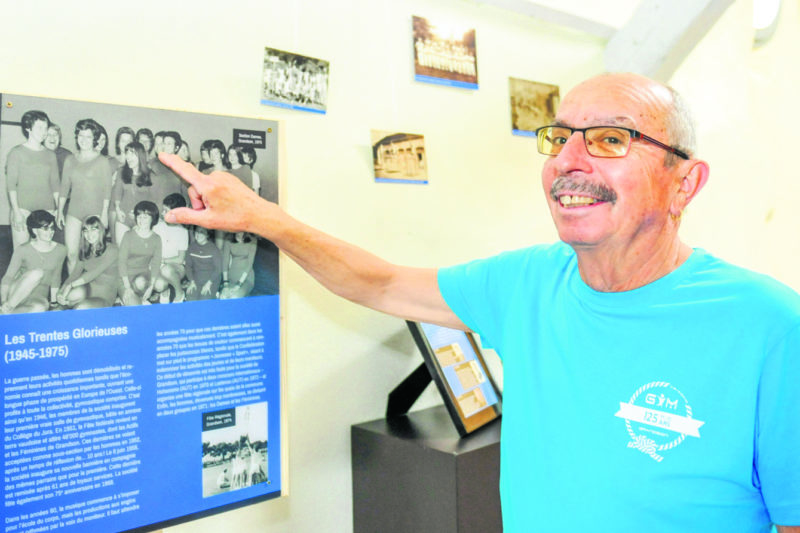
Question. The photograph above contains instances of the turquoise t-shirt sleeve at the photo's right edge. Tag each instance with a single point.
(777, 459)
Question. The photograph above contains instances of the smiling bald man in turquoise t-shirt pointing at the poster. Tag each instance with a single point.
(648, 385)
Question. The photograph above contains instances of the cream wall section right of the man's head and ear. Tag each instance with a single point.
(746, 106)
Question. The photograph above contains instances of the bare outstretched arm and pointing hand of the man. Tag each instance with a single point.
(221, 201)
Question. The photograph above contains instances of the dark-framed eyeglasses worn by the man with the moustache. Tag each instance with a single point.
(600, 141)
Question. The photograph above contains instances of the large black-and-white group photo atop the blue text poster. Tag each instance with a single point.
(83, 197)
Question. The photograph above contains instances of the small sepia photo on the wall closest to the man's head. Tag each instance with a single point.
(533, 105)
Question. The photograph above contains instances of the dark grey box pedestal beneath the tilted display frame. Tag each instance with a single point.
(414, 474)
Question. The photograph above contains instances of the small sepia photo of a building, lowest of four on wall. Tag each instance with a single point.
(399, 157)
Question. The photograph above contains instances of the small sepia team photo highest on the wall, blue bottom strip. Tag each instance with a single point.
(444, 54)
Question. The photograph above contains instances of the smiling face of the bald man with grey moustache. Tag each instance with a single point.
(632, 194)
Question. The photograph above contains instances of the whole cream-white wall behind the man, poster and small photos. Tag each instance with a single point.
(484, 194)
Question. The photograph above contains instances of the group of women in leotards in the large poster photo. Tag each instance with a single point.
(87, 228)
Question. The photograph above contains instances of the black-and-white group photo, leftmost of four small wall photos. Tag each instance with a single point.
(294, 81)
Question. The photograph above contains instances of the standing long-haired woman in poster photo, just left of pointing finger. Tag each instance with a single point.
(133, 185)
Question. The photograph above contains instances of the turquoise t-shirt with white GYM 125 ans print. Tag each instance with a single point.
(674, 407)
